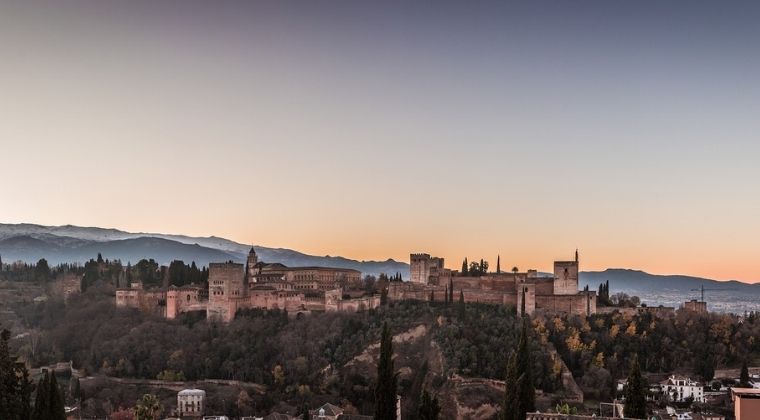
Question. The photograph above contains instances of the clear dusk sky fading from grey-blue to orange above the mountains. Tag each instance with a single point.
(371, 130)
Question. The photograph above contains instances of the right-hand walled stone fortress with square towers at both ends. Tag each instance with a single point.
(557, 294)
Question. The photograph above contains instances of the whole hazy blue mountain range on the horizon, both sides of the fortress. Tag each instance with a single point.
(61, 244)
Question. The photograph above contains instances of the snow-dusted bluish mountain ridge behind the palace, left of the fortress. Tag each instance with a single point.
(59, 244)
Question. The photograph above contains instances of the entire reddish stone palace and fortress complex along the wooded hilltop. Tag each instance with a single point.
(258, 285)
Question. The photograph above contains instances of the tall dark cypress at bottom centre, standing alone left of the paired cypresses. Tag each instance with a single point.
(386, 387)
